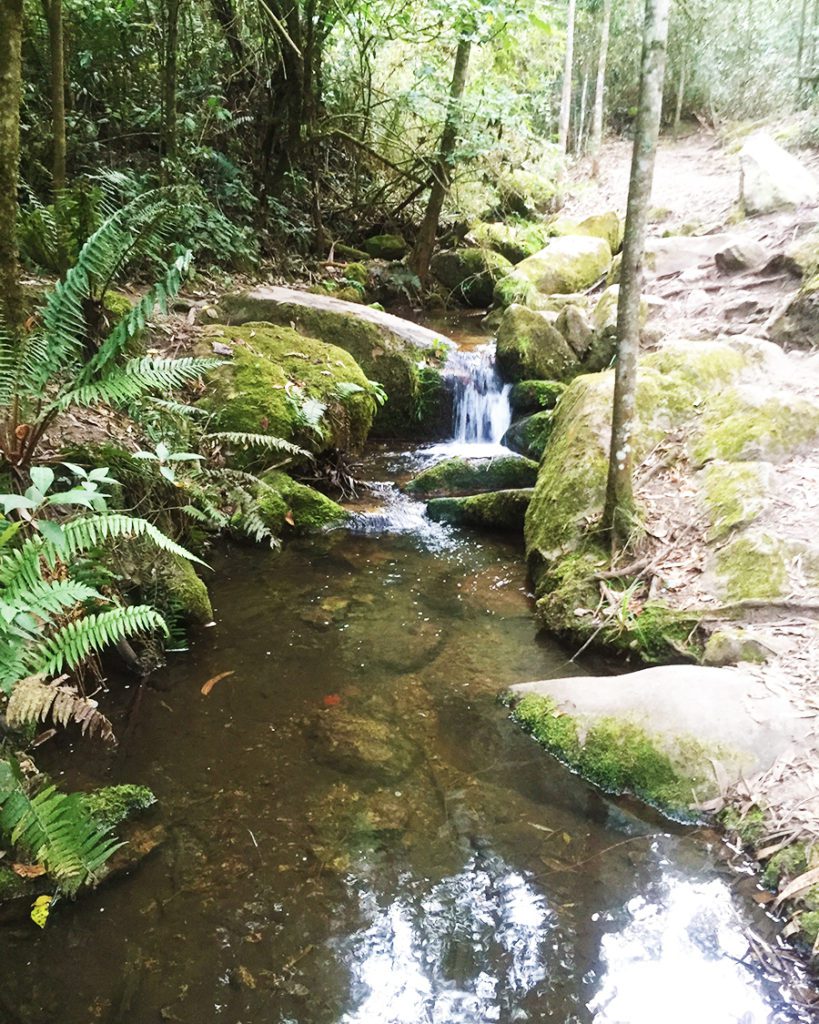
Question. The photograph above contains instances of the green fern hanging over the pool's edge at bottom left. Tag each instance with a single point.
(55, 830)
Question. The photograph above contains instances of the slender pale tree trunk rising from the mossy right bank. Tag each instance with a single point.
(620, 510)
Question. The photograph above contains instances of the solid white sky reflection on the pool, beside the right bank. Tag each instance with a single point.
(686, 943)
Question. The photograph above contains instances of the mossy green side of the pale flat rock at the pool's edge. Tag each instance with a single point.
(620, 756)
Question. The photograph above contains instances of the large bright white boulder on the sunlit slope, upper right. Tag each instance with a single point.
(771, 179)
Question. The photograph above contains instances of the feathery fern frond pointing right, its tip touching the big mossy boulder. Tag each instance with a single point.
(137, 378)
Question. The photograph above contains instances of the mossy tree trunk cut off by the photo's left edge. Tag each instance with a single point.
(11, 89)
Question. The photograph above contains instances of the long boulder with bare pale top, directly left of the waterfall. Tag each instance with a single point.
(402, 357)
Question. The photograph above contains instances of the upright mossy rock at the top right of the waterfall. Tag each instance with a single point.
(530, 348)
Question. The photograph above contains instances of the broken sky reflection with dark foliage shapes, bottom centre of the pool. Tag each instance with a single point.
(465, 952)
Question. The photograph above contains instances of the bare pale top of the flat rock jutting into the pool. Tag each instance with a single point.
(728, 709)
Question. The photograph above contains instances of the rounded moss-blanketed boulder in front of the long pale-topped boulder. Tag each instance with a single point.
(281, 382)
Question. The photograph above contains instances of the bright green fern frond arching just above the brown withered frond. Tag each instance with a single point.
(72, 645)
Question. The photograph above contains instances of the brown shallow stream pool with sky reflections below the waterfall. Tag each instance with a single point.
(356, 834)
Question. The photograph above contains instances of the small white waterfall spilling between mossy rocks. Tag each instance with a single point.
(482, 413)
